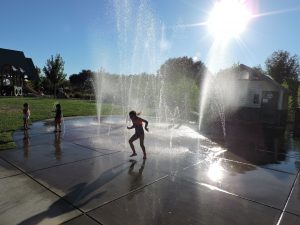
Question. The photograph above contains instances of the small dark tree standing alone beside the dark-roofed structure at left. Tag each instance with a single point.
(54, 71)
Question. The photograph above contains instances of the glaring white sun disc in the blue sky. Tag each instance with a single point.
(228, 19)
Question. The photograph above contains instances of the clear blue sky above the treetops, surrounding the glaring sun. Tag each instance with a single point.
(135, 36)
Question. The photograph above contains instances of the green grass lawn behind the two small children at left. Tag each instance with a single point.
(11, 117)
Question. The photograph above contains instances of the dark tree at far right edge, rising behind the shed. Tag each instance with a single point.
(285, 68)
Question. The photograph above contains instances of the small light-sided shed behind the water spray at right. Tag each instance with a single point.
(250, 95)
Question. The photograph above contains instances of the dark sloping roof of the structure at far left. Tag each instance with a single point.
(18, 59)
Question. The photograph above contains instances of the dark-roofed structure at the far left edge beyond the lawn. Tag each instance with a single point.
(15, 68)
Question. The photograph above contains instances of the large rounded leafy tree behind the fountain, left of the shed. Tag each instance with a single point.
(182, 78)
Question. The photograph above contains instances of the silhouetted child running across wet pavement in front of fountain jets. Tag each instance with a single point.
(137, 123)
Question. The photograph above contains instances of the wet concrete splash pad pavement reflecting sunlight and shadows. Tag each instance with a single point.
(84, 175)
